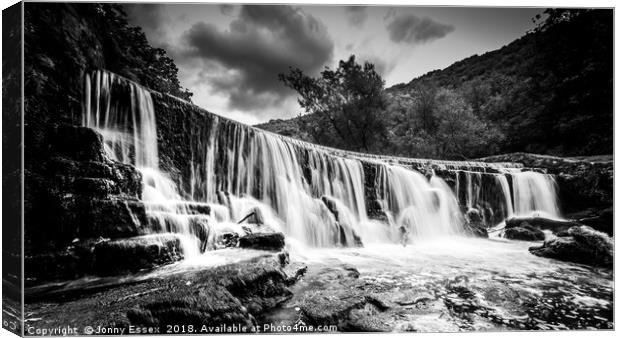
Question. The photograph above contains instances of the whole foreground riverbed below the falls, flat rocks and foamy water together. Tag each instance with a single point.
(457, 284)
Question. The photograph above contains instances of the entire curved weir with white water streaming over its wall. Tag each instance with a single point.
(215, 172)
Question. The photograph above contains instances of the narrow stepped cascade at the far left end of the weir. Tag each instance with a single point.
(123, 113)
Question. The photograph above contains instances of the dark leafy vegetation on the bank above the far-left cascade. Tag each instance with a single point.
(64, 41)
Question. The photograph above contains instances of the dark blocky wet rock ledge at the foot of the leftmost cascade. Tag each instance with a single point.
(146, 252)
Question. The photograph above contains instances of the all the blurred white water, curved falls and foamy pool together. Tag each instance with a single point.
(318, 197)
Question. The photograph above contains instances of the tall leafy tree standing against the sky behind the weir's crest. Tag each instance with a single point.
(348, 102)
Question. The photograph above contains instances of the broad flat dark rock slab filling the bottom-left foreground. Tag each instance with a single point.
(233, 294)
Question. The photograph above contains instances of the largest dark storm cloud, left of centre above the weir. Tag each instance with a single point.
(260, 43)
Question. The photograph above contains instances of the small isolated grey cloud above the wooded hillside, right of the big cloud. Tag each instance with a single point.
(409, 28)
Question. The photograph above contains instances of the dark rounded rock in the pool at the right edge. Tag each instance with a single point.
(582, 244)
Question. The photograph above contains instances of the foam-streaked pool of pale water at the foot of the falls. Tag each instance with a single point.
(470, 283)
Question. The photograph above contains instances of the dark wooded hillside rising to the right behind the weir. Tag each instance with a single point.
(549, 92)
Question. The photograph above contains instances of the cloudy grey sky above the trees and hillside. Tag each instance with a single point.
(230, 56)
